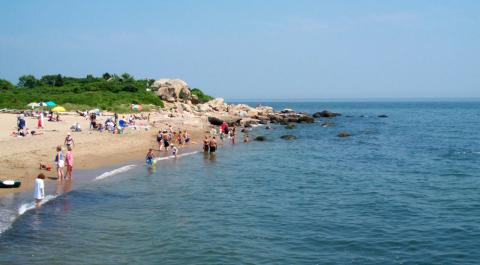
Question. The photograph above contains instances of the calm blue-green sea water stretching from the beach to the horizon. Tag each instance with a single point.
(401, 190)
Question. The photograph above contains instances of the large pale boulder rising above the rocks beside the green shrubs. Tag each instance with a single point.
(171, 89)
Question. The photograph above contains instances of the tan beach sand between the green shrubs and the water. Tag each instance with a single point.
(20, 157)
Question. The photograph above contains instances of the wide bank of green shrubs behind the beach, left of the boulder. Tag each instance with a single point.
(78, 93)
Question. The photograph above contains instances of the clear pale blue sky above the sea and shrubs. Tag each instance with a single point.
(254, 49)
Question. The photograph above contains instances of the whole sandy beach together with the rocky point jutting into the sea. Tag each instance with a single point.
(20, 157)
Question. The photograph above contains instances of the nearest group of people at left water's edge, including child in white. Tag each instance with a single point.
(62, 161)
